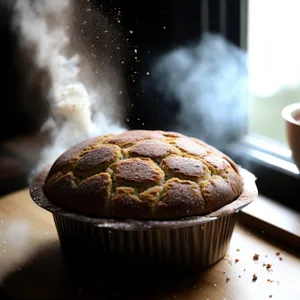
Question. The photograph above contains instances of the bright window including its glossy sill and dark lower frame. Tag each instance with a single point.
(269, 35)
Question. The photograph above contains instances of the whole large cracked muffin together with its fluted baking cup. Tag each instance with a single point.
(145, 198)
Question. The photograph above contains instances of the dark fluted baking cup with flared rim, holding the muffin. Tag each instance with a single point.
(188, 243)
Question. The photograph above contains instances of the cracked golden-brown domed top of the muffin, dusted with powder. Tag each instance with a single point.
(143, 174)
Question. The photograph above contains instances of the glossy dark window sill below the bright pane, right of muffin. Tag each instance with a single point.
(274, 169)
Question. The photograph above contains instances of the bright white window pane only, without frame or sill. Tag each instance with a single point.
(274, 64)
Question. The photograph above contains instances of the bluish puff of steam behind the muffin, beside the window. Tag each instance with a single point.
(209, 80)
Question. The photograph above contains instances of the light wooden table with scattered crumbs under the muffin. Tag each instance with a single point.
(32, 267)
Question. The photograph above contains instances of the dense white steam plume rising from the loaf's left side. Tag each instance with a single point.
(76, 111)
